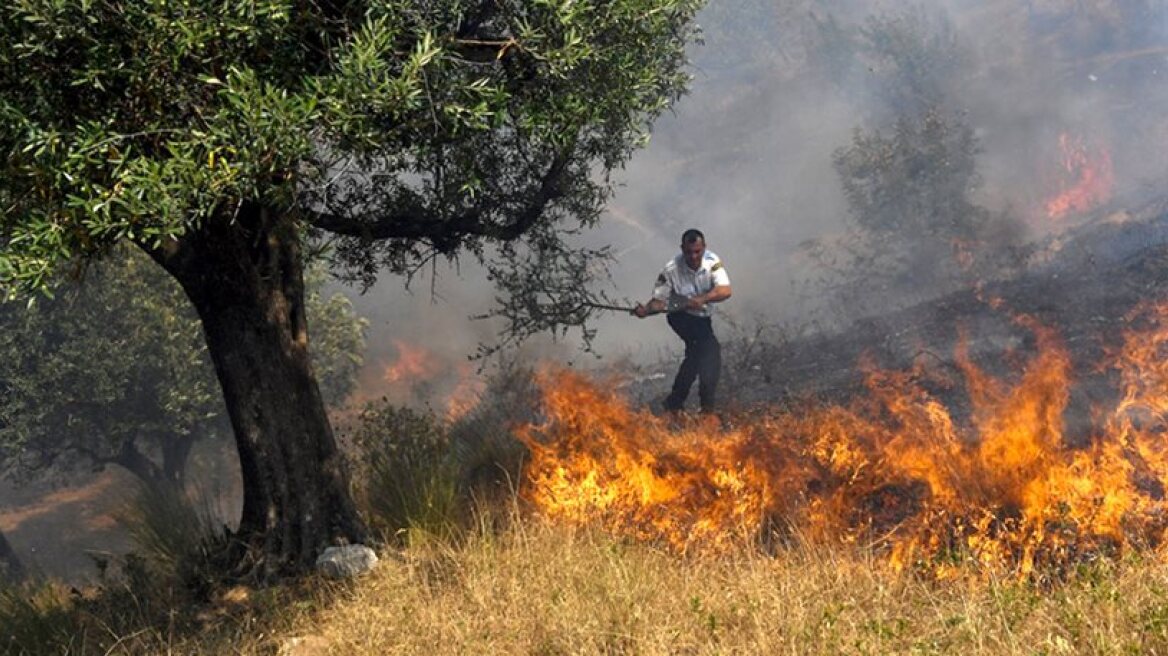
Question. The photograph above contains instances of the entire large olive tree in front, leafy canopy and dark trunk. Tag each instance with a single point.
(225, 137)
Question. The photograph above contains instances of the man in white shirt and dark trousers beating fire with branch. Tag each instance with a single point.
(685, 289)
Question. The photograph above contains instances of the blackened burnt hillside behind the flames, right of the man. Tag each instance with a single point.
(1083, 284)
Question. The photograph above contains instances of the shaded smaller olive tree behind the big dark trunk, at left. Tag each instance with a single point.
(115, 372)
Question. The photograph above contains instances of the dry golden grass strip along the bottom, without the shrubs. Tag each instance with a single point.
(536, 589)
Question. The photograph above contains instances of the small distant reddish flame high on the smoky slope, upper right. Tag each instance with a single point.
(1087, 179)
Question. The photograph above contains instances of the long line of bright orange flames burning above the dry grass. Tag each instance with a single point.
(899, 470)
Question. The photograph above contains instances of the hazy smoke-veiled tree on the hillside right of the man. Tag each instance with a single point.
(913, 228)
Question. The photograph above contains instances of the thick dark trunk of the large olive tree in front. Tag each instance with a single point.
(244, 275)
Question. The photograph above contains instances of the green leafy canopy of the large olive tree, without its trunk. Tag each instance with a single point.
(469, 122)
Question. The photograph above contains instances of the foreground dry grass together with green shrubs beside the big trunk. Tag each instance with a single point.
(498, 578)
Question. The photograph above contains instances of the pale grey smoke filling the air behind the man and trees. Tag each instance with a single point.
(778, 88)
